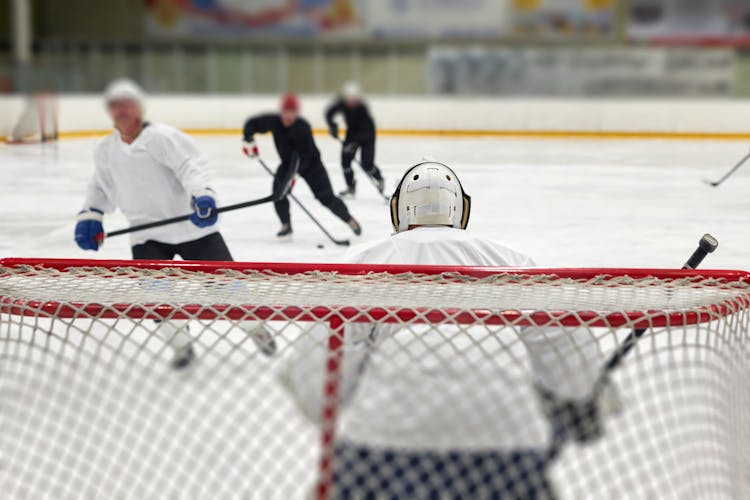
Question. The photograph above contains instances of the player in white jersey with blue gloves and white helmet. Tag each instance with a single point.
(152, 171)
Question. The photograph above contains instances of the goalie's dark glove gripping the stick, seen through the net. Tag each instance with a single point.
(582, 421)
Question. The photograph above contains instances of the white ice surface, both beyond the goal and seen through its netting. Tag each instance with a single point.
(573, 203)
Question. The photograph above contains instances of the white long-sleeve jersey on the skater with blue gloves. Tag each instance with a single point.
(153, 178)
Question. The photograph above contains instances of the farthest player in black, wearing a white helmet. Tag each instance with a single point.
(360, 134)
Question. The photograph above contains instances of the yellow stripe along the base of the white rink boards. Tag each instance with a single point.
(529, 134)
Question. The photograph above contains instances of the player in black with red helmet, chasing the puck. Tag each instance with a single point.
(295, 145)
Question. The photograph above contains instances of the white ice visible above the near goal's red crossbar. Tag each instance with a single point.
(571, 203)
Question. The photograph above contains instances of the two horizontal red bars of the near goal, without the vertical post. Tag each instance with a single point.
(270, 313)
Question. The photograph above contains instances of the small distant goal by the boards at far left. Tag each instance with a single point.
(37, 122)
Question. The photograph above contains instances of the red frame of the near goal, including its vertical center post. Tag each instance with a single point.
(338, 316)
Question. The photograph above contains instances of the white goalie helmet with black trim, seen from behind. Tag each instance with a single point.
(430, 194)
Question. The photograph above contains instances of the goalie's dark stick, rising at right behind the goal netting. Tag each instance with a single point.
(706, 245)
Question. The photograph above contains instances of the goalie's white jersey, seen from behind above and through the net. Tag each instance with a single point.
(445, 388)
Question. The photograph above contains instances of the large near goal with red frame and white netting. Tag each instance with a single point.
(398, 382)
